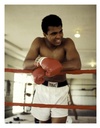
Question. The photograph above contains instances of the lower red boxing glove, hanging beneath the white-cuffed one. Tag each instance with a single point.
(38, 75)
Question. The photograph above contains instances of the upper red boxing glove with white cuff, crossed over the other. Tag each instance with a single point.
(50, 65)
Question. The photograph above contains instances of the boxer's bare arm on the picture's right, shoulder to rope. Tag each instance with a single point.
(73, 61)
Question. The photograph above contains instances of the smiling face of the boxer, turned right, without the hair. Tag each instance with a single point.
(54, 35)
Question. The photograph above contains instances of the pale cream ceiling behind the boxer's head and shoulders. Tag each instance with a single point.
(23, 25)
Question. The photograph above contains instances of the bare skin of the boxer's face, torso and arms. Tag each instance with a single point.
(54, 46)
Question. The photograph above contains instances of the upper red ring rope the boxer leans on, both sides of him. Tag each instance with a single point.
(68, 72)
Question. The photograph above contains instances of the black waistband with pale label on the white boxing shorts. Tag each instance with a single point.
(55, 84)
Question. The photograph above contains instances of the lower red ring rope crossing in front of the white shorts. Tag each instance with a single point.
(52, 106)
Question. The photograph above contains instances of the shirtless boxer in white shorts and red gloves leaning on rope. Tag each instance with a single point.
(49, 57)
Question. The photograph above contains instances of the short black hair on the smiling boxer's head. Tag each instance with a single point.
(50, 20)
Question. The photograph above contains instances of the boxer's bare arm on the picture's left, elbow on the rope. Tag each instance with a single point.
(32, 55)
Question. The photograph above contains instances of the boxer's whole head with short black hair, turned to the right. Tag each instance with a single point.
(52, 29)
